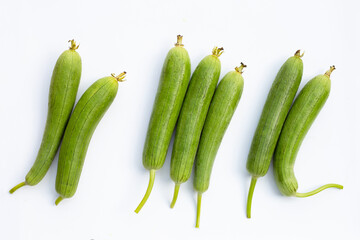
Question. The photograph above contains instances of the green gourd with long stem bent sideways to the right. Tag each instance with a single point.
(299, 120)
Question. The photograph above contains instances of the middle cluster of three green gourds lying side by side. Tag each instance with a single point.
(202, 112)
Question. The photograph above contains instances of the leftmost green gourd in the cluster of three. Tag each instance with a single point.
(171, 91)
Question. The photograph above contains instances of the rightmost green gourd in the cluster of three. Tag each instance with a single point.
(222, 108)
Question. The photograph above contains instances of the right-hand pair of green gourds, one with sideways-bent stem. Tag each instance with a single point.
(283, 125)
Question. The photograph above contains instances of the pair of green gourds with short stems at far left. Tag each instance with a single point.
(76, 128)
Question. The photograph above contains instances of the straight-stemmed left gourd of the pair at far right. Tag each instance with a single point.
(277, 105)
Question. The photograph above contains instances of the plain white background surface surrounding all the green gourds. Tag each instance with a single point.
(135, 36)
